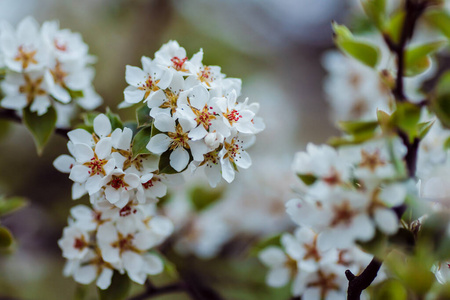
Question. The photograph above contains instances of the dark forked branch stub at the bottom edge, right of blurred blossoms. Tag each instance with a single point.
(356, 284)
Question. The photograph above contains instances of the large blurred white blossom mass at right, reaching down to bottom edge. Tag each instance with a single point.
(347, 195)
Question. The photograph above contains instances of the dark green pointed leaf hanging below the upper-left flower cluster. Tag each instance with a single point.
(41, 127)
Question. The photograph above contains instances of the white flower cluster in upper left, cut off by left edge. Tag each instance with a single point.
(45, 66)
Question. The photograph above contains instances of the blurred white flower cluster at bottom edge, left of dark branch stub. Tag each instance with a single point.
(315, 274)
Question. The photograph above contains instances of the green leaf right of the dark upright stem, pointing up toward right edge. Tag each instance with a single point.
(417, 58)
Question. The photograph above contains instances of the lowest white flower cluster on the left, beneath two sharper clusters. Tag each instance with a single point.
(107, 238)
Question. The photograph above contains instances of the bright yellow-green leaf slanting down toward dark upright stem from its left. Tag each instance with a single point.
(364, 52)
